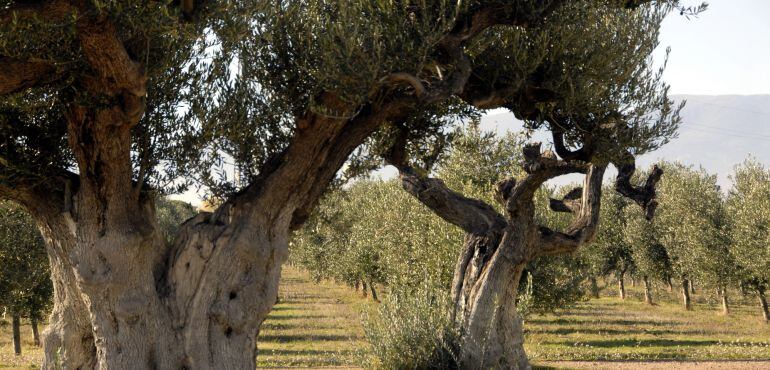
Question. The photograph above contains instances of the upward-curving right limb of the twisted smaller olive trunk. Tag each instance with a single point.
(583, 227)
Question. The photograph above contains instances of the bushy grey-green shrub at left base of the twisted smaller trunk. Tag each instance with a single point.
(411, 330)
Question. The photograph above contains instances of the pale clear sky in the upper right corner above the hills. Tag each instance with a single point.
(725, 50)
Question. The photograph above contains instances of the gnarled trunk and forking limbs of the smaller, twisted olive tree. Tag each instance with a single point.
(497, 248)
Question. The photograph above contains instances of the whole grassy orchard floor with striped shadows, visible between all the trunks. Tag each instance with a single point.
(318, 325)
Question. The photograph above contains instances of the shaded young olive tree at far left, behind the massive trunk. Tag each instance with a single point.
(25, 284)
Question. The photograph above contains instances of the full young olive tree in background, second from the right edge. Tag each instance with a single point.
(692, 218)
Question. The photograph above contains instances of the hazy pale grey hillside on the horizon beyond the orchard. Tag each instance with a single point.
(717, 132)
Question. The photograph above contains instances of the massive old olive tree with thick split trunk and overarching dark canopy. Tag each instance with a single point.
(104, 104)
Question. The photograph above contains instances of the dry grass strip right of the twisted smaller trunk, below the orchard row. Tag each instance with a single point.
(615, 330)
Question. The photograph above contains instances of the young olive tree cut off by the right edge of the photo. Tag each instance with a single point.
(747, 207)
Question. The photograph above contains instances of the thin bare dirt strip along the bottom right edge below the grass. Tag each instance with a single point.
(659, 365)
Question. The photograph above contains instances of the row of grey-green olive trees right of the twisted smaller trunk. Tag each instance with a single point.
(699, 234)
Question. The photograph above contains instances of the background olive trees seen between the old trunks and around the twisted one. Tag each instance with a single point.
(372, 233)
